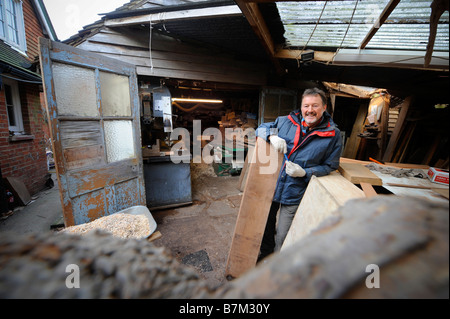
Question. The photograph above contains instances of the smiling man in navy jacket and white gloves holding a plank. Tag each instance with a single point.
(312, 144)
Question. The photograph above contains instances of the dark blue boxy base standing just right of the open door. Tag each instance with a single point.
(167, 184)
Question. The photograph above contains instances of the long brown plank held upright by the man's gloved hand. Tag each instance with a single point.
(254, 210)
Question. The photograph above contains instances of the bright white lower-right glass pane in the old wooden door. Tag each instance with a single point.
(119, 140)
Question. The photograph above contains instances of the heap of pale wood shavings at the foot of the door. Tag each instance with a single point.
(119, 225)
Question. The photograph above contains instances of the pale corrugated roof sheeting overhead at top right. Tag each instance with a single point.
(346, 23)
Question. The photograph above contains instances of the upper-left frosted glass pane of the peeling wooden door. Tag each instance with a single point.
(76, 92)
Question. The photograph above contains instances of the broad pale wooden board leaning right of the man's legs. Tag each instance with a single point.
(322, 198)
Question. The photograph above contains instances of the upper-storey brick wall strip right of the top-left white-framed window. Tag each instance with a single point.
(33, 29)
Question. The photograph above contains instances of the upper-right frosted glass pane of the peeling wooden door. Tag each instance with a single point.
(115, 94)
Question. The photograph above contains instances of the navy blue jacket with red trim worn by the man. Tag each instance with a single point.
(317, 152)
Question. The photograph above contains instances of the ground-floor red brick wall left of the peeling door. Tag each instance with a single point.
(26, 160)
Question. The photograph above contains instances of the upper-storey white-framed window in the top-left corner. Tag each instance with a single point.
(12, 26)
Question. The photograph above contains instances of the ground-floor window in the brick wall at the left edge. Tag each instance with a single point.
(13, 106)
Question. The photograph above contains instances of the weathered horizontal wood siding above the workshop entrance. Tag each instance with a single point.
(173, 58)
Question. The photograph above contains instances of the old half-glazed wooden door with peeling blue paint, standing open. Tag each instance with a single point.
(93, 109)
